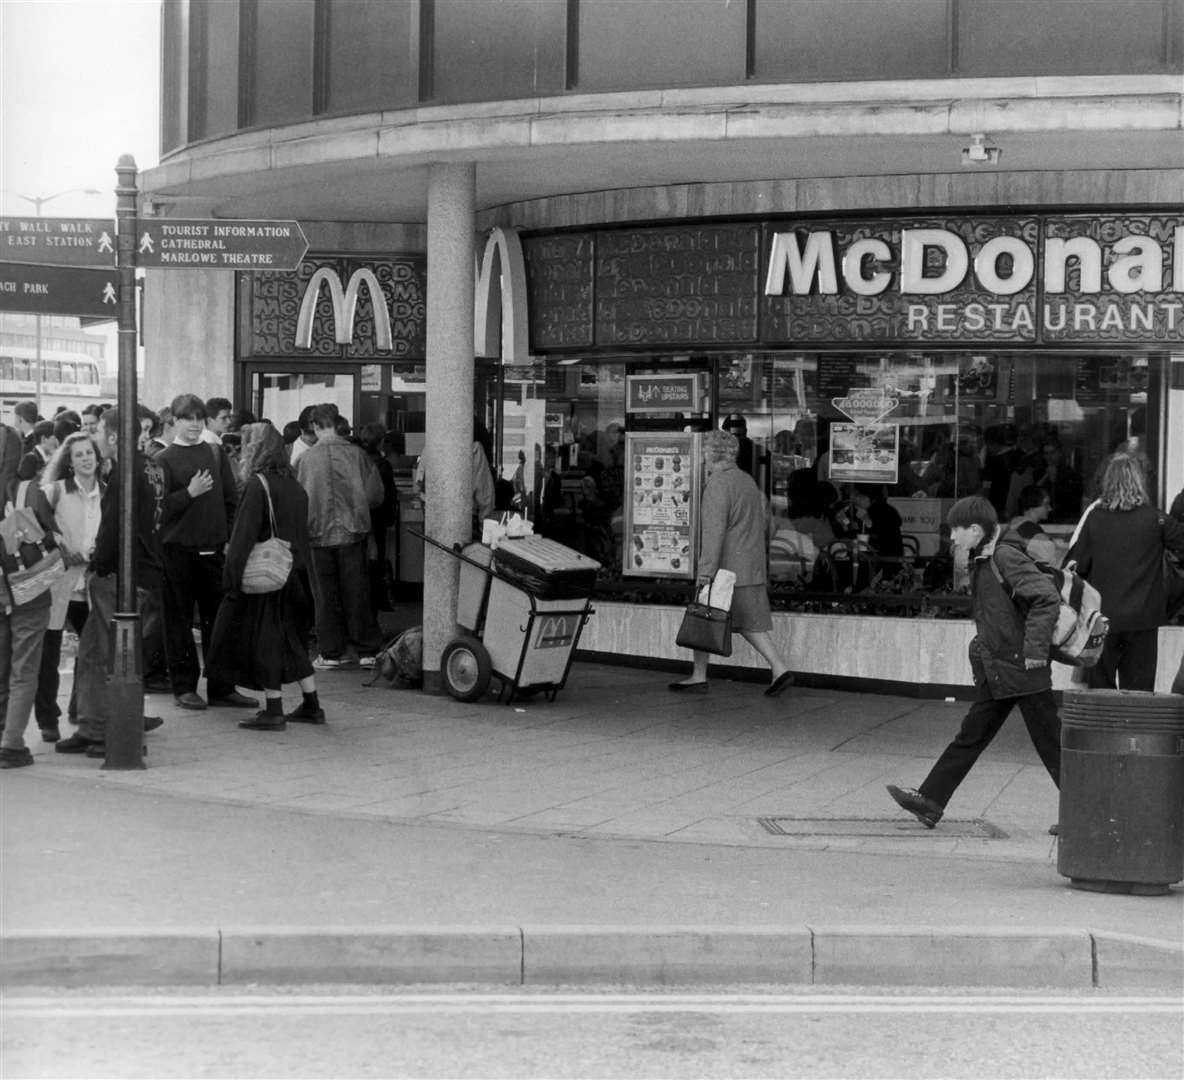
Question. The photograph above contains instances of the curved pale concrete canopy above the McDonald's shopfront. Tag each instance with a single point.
(375, 166)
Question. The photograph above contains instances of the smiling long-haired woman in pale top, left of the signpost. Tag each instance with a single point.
(74, 487)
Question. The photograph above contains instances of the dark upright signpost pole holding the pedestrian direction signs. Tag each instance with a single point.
(126, 692)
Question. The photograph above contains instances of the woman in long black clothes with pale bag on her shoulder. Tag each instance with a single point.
(261, 640)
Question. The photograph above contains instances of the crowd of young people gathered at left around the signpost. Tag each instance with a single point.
(211, 485)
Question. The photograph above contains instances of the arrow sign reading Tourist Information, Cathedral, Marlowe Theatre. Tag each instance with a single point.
(220, 245)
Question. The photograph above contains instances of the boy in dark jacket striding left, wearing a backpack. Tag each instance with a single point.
(1009, 657)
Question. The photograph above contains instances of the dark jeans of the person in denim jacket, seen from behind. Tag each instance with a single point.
(345, 622)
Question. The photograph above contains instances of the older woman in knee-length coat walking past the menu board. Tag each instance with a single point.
(735, 536)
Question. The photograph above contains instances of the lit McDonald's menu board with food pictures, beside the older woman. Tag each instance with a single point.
(662, 481)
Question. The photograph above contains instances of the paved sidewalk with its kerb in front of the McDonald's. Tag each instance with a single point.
(619, 809)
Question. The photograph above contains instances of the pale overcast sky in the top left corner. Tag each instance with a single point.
(80, 86)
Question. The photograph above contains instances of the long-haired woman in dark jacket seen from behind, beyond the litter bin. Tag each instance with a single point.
(1119, 550)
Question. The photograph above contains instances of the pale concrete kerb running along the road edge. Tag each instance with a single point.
(601, 956)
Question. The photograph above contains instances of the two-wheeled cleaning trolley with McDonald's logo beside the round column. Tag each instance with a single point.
(522, 607)
